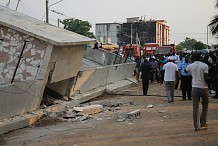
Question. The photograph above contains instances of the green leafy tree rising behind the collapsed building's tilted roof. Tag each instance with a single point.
(78, 26)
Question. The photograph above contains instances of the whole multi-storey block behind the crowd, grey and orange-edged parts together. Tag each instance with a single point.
(134, 31)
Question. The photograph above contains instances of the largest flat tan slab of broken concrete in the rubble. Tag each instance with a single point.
(92, 109)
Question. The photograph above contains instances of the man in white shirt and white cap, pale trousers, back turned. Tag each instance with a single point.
(171, 71)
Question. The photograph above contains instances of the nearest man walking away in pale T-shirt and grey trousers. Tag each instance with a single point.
(199, 72)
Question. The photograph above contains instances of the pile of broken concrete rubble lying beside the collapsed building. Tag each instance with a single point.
(99, 110)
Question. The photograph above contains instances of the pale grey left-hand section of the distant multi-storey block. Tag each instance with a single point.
(108, 33)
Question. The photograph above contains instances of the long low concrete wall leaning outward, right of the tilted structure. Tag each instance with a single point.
(100, 77)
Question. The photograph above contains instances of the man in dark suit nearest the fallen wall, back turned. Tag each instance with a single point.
(145, 76)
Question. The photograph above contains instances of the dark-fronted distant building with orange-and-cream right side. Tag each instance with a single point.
(141, 32)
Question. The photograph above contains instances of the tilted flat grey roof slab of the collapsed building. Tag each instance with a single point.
(38, 29)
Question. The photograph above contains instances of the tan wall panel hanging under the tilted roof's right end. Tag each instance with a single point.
(65, 62)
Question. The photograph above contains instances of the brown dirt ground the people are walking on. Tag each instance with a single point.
(166, 124)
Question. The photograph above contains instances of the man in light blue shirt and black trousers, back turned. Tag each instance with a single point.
(186, 78)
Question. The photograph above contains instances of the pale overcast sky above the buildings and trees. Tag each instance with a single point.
(187, 18)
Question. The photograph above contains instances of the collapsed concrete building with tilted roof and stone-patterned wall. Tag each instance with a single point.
(35, 56)
